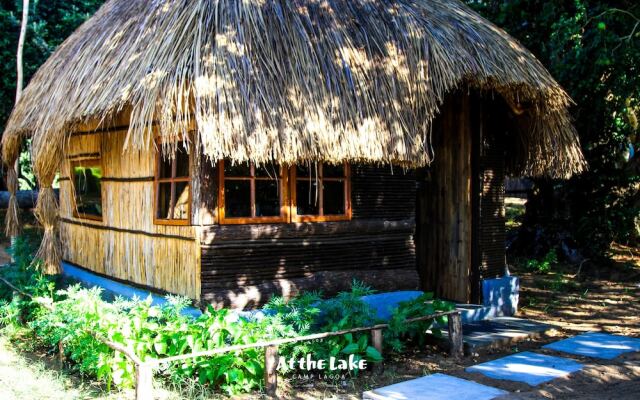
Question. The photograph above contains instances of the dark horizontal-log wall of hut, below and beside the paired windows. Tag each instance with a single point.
(243, 265)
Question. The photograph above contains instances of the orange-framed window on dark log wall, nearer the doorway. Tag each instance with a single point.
(320, 193)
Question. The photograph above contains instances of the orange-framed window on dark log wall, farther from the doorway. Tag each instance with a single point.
(251, 194)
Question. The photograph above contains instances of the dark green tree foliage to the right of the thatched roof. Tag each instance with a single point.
(592, 47)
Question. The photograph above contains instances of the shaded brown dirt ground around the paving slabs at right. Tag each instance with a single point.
(598, 298)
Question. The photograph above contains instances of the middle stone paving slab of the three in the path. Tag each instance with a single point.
(527, 367)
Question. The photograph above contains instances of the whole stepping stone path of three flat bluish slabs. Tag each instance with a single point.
(528, 367)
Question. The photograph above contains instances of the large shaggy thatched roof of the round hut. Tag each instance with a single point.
(290, 80)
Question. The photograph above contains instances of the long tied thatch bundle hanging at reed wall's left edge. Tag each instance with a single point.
(50, 251)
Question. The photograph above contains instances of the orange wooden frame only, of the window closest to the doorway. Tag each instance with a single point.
(348, 212)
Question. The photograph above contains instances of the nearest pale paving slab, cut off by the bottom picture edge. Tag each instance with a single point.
(435, 387)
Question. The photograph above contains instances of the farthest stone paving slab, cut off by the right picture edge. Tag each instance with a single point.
(597, 345)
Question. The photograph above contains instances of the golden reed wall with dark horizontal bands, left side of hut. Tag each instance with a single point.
(126, 244)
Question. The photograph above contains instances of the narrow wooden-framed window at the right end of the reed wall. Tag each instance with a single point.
(173, 189)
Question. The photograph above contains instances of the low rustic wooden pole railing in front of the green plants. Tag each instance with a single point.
(144, 369)
